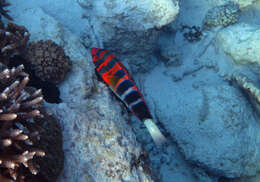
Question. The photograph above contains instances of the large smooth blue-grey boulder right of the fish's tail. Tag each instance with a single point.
(211, 121)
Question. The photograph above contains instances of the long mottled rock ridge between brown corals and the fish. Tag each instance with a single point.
(98, 143)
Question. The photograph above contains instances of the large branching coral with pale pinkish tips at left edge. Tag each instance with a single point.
(18, 132)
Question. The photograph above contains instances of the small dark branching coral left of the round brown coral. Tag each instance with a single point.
(13, 41)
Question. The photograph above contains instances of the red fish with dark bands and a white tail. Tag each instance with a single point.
(116, 76)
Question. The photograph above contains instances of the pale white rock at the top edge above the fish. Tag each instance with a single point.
(134, 15)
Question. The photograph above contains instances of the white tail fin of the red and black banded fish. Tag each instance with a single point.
(154, 131)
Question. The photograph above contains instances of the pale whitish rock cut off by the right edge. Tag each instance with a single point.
(242, 43)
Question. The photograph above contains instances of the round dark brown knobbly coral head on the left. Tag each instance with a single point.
(48, 61)
